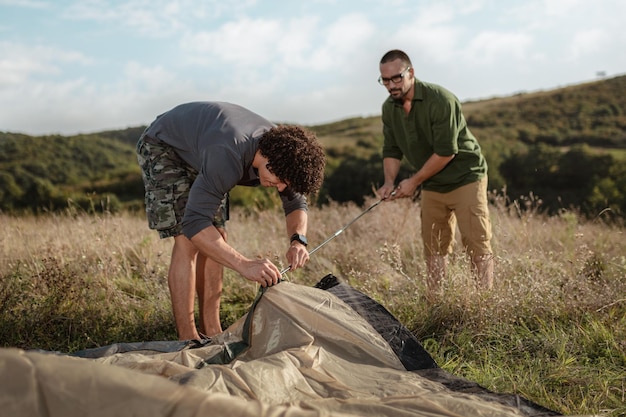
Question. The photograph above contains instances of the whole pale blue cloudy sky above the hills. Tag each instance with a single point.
(70, 66)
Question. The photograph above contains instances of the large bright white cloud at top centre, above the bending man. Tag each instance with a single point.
(272, 53)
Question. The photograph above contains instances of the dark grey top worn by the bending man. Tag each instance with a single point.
(219, 140)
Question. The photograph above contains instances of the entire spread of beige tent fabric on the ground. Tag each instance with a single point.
(310, 354)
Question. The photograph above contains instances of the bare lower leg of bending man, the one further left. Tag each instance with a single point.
(181, 280)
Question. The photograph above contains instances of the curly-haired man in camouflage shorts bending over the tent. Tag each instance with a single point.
(191, 157)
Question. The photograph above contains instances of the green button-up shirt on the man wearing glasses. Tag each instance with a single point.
(435, 124)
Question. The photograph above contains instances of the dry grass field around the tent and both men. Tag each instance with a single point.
(553, 329)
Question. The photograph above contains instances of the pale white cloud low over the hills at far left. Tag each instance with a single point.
(137, 96)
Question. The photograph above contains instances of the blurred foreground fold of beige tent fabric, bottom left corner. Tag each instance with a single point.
(38, 385)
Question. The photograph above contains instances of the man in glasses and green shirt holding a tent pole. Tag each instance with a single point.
(424, 123)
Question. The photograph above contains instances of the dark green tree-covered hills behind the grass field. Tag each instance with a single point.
(567, 147)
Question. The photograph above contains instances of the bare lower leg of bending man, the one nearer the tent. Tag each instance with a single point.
(209, 282)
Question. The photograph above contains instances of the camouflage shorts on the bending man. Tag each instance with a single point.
(167, 180)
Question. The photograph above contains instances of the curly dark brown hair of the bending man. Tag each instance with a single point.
(295, 156)
